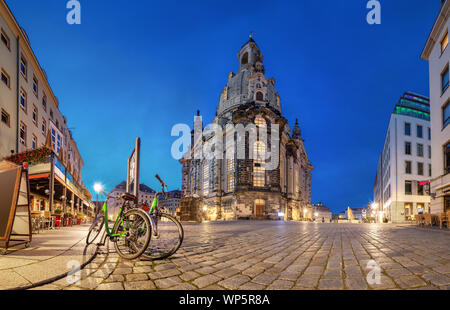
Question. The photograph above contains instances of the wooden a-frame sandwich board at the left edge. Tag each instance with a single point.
(15, 215)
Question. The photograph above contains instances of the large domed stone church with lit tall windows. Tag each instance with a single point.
(228, 189)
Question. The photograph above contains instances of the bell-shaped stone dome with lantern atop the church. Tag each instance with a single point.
(249, 85)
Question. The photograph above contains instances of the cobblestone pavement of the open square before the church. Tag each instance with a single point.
(278, 255)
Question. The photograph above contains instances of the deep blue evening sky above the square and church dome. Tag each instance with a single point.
(136, 68)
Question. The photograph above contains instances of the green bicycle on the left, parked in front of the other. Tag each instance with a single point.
(131, 232)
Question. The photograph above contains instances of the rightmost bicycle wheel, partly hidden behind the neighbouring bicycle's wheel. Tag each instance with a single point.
(167, 237)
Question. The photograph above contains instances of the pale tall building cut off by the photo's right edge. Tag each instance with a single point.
(437, 53)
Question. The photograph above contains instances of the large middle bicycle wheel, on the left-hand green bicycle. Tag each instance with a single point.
(137, 227)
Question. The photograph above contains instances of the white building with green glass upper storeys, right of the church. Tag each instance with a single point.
(405, 162)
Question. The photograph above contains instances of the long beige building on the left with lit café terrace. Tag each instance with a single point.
(31, 120)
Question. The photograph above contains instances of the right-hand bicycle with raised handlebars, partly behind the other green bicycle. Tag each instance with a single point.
(167, 232)
